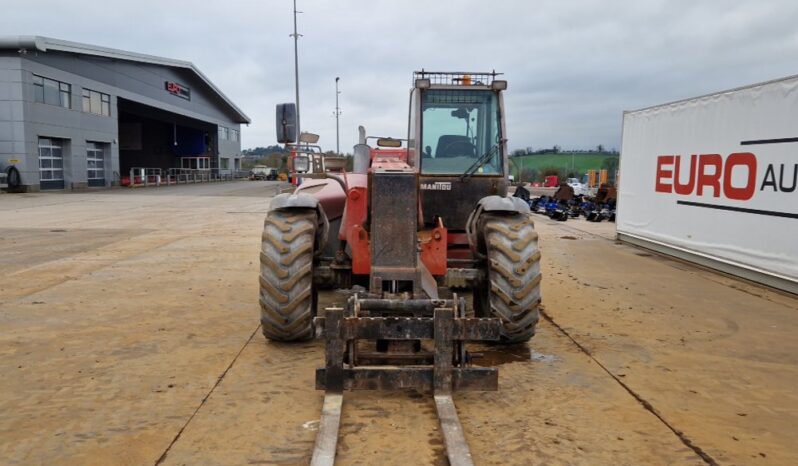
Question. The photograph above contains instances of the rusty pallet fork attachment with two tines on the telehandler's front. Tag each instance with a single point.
(399, 325)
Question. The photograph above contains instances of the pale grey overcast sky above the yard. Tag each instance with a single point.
(572, 67)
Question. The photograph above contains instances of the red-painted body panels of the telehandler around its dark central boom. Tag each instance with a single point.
(352, 207)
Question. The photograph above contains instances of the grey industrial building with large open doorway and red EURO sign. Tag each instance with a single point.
(74, 115)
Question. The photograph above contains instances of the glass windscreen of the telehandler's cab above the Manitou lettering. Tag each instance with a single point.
(460, 127)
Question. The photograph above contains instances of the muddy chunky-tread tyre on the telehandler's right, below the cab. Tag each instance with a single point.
(512, 292)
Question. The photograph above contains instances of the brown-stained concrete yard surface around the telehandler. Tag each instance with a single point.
(129, 336)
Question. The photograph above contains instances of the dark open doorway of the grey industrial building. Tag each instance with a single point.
(157, 144)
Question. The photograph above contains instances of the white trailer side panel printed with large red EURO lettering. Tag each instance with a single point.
(717, 176)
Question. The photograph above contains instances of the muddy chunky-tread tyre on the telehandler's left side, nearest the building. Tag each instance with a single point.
(287, 294)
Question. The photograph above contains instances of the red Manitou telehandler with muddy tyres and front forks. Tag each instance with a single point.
(418, 220)
